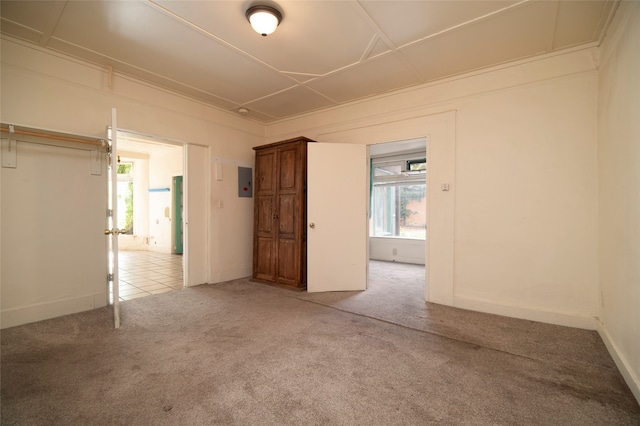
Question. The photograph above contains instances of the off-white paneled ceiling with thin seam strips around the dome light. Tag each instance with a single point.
(323, 54)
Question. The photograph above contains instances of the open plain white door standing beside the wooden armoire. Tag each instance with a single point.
(337, 211)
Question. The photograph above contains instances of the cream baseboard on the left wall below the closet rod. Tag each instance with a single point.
(42, 311)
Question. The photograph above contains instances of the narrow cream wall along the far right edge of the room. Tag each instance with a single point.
(619, 197)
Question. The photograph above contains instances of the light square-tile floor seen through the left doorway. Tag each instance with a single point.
(143, 273)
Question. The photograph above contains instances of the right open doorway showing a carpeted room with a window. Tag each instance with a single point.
(398, 219)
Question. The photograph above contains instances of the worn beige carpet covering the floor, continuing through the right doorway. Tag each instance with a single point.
(243, 353)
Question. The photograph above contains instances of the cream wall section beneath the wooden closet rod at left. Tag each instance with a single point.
(53, 246)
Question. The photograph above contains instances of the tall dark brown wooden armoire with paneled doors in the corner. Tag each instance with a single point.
(279, 230)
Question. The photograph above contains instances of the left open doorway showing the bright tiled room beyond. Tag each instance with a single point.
(150, 204)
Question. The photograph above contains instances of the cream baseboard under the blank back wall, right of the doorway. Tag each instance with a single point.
(549, 317)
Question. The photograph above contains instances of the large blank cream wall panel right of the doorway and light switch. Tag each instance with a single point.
(526, 223)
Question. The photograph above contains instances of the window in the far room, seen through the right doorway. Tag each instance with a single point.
(398, 196)
